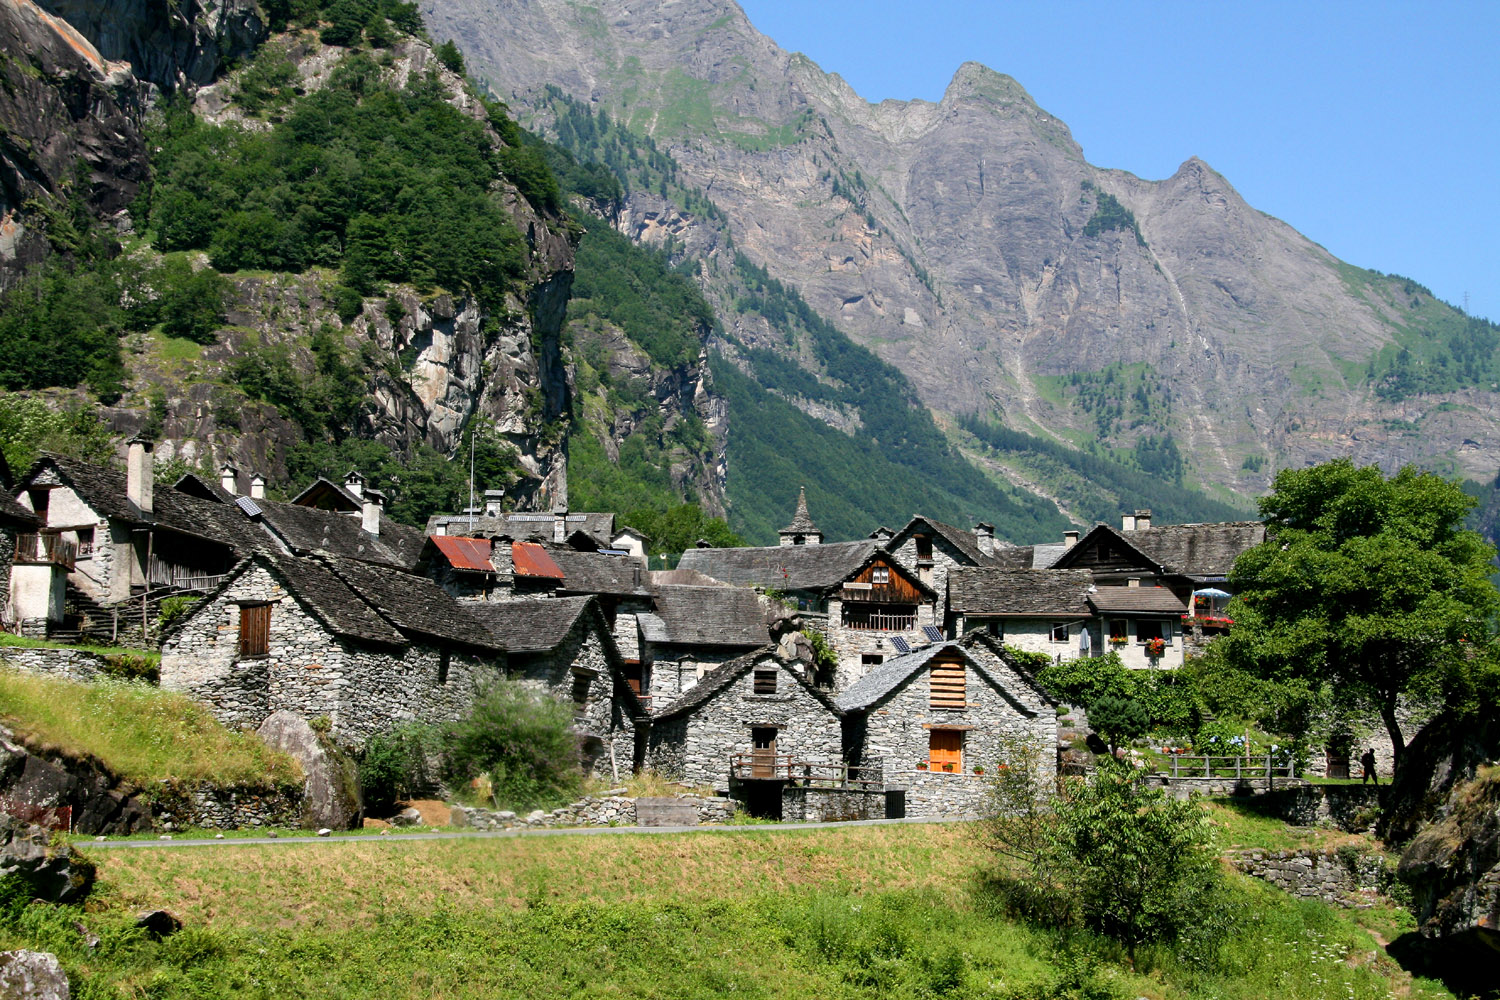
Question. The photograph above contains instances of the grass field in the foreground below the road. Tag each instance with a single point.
(853, 912)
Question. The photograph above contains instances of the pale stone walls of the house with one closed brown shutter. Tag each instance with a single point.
(362, 689)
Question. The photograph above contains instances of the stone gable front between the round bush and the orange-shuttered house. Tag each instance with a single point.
(697, 740)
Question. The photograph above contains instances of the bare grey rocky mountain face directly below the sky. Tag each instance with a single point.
(971, 244)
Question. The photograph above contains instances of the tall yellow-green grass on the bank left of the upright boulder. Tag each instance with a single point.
(140, 734)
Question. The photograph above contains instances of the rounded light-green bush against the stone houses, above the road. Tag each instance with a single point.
(523, 741)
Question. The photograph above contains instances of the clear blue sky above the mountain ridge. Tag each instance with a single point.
(1372, 128)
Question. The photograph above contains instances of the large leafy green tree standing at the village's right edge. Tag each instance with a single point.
(1367, 584)
